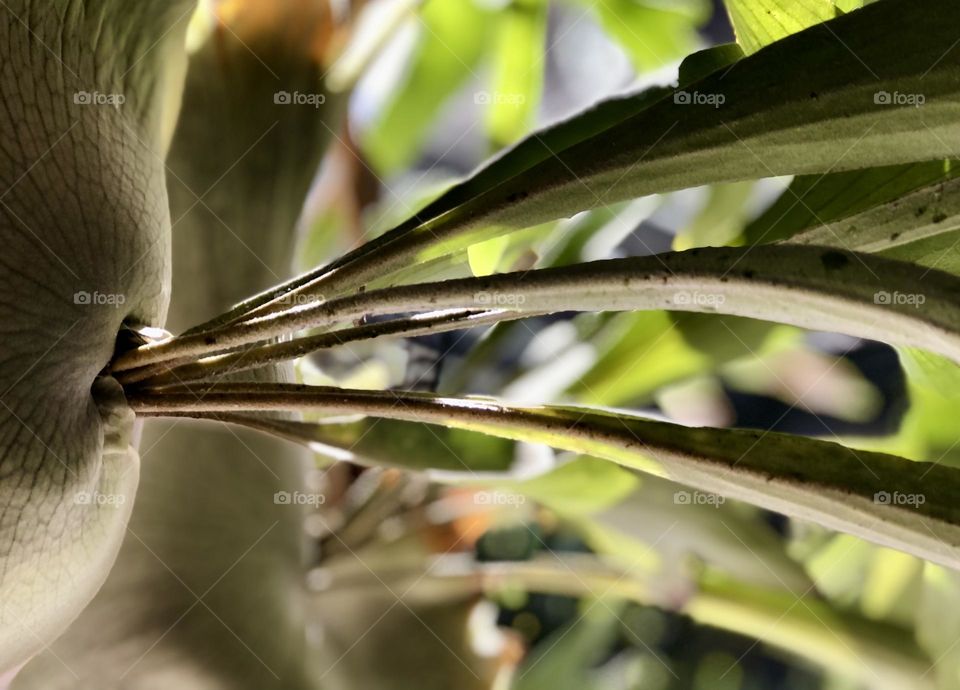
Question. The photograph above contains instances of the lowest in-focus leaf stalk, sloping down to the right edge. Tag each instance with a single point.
(905, 505)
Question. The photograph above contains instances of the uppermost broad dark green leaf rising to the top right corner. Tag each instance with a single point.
(814, 102)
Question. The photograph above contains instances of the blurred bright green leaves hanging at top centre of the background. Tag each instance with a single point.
(503, 56)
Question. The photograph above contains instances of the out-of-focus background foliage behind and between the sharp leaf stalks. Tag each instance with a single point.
(707, 594)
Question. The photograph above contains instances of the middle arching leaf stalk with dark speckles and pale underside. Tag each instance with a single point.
(806, 286)
